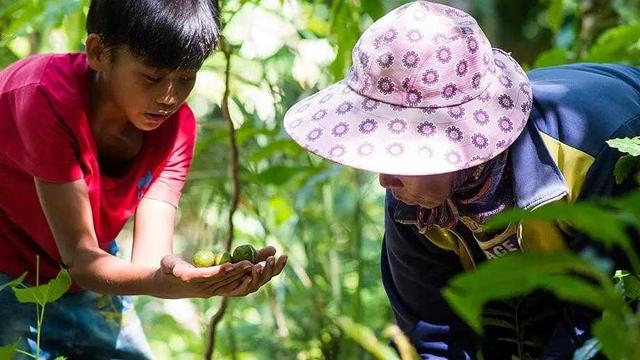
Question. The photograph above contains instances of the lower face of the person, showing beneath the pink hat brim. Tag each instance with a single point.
(428, 191)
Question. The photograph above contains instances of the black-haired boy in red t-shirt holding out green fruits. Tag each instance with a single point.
(88, 140)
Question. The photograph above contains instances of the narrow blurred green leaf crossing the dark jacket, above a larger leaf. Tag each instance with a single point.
(595, 221)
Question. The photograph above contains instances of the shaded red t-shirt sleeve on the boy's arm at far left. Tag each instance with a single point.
(43, 146)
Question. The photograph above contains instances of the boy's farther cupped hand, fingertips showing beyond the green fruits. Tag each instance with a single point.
(266, 268)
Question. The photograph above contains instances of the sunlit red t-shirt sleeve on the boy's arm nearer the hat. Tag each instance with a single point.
(169, 183)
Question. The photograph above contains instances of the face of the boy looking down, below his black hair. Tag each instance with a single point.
(146, 96)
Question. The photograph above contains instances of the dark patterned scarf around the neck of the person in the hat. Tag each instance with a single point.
(478, 193)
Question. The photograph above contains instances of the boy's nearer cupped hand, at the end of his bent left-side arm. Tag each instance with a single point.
(181, 279)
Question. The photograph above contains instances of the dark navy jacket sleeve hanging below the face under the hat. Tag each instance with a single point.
(414, 271)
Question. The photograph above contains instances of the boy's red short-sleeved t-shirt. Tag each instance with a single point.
(45, 133)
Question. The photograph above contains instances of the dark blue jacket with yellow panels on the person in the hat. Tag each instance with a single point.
(560, 156)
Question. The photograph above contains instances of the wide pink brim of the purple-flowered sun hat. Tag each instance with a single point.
(345, 127)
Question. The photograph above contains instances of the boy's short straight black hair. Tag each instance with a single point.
(167, 34)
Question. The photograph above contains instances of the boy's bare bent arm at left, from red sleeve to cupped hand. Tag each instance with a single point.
(68, 212)
